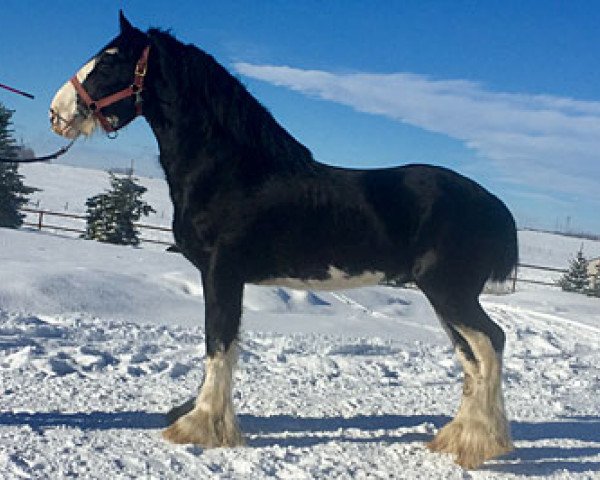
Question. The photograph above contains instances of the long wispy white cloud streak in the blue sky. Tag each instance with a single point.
(548, 142)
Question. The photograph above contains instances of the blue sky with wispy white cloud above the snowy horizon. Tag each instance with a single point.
(506, 92)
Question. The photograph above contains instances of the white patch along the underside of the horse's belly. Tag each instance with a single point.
(336, 280)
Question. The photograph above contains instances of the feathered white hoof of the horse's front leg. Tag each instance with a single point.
(206, 430)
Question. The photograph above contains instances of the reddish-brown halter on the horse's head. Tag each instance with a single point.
(135, 89)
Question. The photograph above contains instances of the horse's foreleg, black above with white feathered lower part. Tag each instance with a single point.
(211, 421)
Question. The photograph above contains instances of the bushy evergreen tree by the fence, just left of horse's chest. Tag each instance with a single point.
(111, 215)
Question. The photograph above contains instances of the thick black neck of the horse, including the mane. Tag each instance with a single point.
(205, 116)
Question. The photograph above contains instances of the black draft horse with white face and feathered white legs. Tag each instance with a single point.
(251, 205)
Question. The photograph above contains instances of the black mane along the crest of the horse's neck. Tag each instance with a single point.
(203, 85)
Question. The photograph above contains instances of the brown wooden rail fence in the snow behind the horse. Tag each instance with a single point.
(41, 224)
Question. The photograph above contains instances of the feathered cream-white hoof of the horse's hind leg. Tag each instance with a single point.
(472, 443)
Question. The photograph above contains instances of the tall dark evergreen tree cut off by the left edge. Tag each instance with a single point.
(13, 193)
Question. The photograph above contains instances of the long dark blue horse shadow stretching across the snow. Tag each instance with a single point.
(291, 431)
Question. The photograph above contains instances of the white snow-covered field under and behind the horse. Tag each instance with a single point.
(97, 342)
